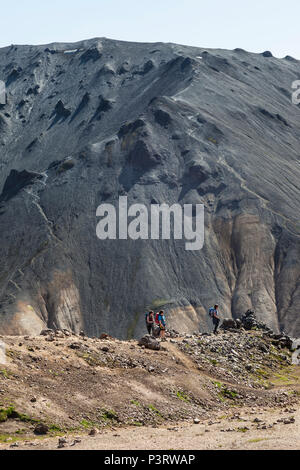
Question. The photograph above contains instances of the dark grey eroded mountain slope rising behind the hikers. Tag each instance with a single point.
(85, 123)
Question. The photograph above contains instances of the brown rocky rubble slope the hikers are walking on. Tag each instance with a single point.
(61, 383)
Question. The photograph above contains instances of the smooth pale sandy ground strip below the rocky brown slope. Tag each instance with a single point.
(228, 433)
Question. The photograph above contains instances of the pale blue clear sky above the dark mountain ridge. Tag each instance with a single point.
(255, 25)
